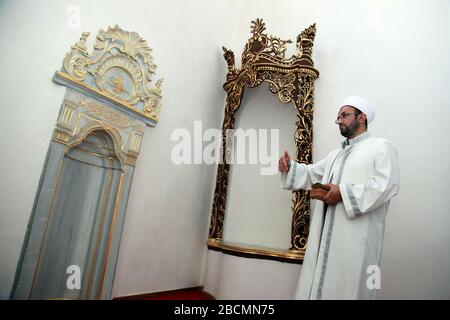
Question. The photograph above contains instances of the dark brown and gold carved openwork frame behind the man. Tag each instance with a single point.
(263, 60)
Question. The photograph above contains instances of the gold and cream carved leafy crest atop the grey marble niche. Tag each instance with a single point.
(121, 66)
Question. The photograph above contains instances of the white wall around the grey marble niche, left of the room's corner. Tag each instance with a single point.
(165, 229)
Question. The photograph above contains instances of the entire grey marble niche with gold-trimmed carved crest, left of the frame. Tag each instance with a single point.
(72, 240)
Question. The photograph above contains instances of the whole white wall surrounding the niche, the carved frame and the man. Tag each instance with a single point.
(395, 53)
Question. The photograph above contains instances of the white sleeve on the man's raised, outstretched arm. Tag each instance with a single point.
(302, 176)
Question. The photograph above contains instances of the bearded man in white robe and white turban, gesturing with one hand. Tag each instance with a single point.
(346, 232)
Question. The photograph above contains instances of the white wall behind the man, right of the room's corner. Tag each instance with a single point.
(394, 53)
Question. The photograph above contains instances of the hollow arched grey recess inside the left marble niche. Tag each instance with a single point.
(81, 220)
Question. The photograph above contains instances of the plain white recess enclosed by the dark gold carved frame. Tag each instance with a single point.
(266, 222)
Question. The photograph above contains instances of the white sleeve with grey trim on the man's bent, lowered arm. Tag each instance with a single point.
(362, 198)
